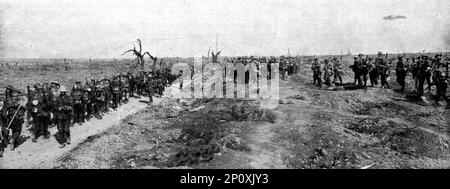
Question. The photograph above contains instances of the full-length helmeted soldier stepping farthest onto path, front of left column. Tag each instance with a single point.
(63, 116)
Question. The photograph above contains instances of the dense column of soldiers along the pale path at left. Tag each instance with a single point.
(51, 104)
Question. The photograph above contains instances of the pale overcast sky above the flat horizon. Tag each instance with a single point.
(106, 28)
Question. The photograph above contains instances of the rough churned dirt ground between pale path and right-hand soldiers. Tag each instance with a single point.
(311, 128)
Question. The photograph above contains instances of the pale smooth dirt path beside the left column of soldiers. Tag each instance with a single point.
(45, 153)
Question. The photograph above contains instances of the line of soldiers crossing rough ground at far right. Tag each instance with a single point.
(432, 70)
